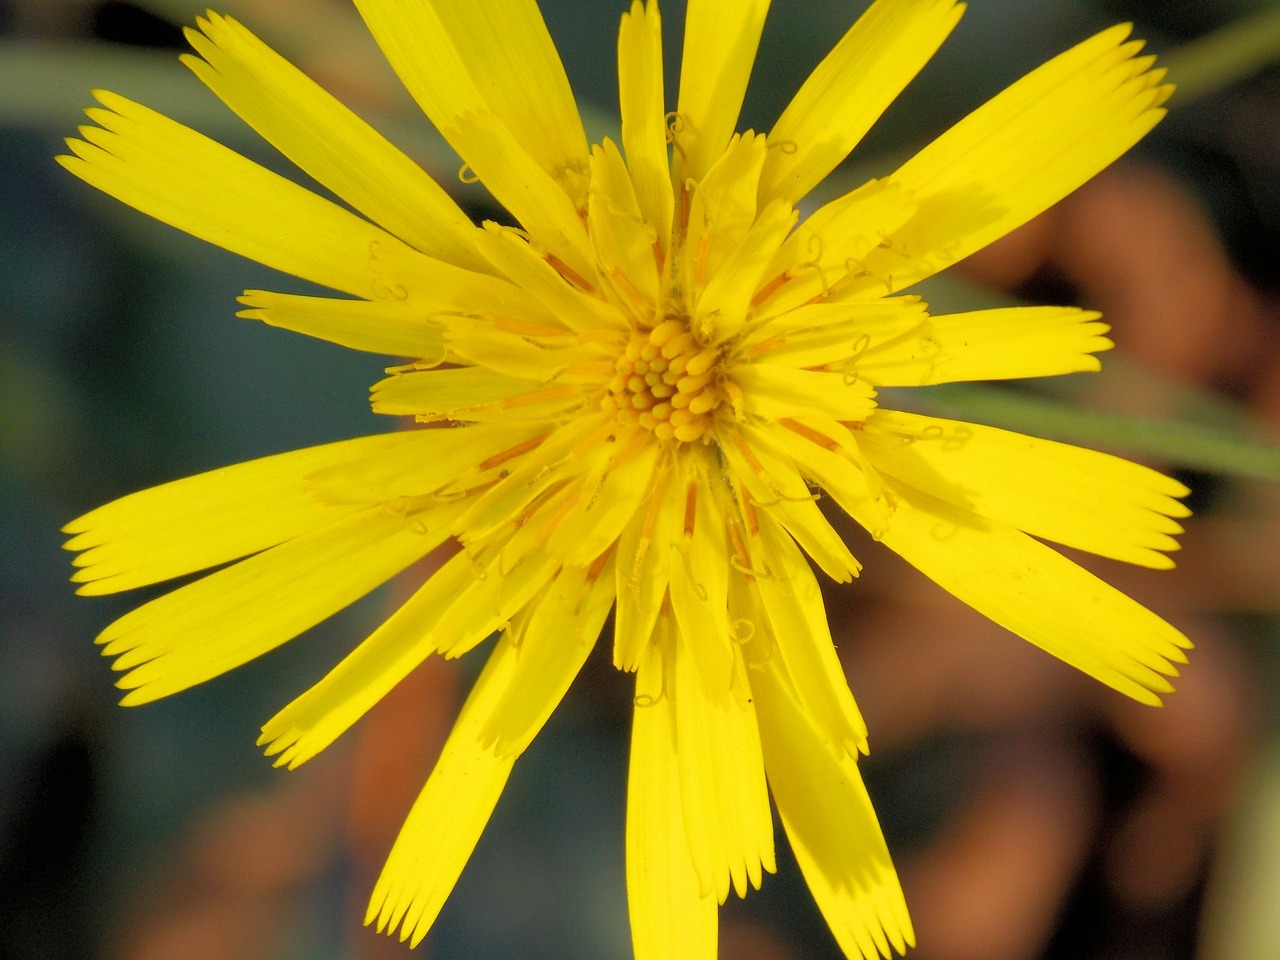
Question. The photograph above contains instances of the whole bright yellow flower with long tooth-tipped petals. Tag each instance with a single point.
(647, 385)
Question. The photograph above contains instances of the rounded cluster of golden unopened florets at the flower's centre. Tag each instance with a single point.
(666, 381)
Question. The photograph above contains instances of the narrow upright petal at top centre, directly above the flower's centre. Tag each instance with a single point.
(644, 113)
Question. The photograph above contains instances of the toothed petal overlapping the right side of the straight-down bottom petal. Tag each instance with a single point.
(725, 799)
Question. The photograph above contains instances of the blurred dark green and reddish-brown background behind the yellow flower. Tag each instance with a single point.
(1032, 813)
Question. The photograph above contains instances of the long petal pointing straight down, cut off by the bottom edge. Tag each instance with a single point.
(670, 916)
